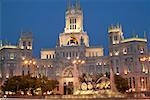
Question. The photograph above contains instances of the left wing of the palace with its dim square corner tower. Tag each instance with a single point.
(11, 57)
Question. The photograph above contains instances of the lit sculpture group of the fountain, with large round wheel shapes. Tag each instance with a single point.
(99, 86)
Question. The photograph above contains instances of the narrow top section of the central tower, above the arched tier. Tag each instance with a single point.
(74, 18)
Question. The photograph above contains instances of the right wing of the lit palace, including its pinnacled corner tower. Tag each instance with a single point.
(125, 55)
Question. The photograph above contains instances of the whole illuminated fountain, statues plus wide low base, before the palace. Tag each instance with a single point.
(100, 88)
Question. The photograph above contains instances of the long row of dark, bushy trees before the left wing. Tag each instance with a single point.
(28, 83)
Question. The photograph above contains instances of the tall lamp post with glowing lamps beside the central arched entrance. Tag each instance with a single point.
(76, 63)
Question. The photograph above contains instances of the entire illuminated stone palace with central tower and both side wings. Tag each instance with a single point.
(73, 56)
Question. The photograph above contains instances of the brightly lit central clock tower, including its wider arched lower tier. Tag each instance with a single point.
(73, 31)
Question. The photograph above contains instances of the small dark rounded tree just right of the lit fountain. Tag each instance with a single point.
(121, 83)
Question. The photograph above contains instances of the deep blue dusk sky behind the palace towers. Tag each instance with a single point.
(46, 19)
